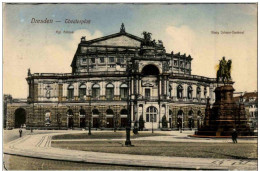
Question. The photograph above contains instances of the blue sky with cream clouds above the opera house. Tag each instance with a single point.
(184, 28)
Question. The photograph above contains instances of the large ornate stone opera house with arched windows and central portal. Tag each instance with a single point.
(110, 76)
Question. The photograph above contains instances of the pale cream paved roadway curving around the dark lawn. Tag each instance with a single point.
(38, 145)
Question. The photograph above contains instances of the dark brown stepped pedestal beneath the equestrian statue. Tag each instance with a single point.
(224, 116)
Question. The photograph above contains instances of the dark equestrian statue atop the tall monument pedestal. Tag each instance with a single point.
(224, 70)
